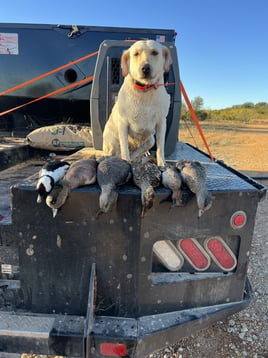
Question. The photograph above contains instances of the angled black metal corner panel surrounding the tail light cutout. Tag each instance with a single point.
(162, 292)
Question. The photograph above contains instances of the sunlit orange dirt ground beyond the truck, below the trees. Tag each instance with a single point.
(243, 147)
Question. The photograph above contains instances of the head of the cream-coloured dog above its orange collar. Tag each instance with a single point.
(146, 61)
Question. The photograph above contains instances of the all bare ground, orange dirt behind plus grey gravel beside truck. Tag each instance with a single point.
(244, 334)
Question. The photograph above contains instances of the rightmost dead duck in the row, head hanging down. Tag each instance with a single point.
(194, 177)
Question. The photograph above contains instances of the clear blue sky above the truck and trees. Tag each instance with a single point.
(222, 44)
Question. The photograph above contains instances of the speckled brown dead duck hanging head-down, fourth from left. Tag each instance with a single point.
(146, 176)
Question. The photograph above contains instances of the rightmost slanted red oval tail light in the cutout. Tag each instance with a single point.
(221, 253)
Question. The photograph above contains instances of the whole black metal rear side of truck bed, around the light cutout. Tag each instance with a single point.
(56, 254)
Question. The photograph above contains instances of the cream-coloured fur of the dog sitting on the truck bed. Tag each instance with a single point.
(139, 115)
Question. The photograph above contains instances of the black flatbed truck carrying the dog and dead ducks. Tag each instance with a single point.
(119, 285)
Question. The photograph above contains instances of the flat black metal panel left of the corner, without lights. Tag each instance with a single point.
(56, 254)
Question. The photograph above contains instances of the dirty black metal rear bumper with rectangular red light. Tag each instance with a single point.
(100, 336)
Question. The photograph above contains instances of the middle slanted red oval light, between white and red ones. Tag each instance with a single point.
(194, 254)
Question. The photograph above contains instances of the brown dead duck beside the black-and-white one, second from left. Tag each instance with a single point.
(81, 172)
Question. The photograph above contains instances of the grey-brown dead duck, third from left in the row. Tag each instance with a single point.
(111, 172)
